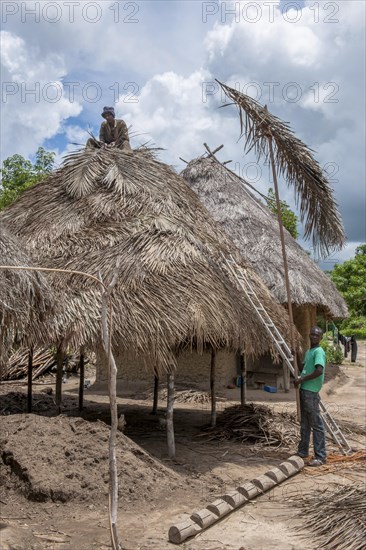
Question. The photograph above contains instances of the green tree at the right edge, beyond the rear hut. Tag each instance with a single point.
(350, 280)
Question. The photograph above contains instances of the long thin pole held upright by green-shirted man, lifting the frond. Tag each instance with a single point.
(285, 265)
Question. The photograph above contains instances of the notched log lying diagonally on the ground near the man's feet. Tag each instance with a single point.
(233, 500)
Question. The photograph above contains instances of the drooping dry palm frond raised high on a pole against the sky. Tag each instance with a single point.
(295, 162)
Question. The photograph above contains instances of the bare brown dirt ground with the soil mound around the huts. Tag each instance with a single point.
(54, 470)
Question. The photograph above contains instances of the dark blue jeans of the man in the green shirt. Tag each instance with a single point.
(311, 420)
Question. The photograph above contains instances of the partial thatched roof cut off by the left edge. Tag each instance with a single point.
(25, 298)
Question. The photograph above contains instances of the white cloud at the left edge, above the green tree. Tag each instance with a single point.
(31, 83)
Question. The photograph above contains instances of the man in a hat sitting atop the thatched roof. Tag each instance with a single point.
(113, 132)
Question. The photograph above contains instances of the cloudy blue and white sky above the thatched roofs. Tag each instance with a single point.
(156, 62)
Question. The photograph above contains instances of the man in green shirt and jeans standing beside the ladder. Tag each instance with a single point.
(311, 381)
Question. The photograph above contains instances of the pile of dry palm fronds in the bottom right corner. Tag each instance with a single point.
(338, 518)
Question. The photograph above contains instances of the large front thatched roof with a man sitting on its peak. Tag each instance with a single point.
(172, 288)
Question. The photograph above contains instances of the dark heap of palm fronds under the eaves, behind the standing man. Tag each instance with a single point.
(256, 424)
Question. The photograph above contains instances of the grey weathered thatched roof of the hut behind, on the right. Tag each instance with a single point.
(254, 229)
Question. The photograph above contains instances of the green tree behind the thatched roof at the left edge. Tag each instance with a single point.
(17, 174)
